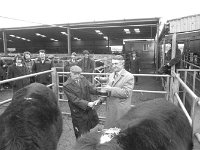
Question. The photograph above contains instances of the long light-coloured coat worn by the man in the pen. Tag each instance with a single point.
(119, 101)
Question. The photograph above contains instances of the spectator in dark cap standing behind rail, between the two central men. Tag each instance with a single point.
(87, 64)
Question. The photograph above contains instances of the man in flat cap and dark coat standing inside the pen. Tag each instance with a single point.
(78, 89)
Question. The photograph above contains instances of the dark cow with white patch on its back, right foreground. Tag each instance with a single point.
(153, 125)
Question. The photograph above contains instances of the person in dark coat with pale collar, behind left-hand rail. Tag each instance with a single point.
(18, 69)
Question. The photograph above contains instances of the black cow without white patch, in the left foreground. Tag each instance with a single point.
(32, 121)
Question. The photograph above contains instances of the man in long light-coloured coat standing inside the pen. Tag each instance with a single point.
(119, 86)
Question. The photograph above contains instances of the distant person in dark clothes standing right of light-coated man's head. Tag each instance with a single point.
(135, 65)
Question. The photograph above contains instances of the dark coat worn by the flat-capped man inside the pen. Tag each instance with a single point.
(78, 97)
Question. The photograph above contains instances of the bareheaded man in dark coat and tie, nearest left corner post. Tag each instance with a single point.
(42, 64)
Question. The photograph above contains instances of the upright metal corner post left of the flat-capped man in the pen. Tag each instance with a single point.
(55, 81)
